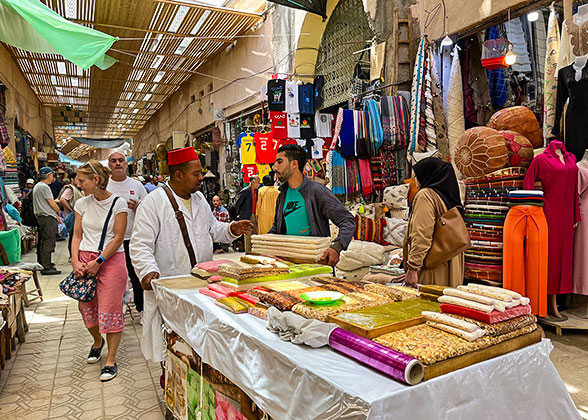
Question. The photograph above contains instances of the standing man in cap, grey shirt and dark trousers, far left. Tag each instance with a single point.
(46, 211)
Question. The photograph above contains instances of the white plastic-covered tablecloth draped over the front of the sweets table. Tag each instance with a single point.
(291, 381)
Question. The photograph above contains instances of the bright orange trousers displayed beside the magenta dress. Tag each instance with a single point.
(525, 252)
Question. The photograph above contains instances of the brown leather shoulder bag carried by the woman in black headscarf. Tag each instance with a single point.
(450, 237)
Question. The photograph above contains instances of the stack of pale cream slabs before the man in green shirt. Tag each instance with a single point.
(288, 246)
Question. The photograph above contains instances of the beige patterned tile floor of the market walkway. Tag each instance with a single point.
(50, 379)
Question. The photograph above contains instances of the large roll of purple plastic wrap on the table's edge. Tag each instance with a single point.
(399, 366)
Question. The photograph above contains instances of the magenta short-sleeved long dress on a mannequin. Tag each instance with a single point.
(562, 210)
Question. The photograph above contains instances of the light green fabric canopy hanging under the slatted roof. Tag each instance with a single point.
(32, 26)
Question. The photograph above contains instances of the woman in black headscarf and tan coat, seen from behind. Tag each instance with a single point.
(439, 192)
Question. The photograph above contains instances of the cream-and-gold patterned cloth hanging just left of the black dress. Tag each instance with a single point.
(551, 59)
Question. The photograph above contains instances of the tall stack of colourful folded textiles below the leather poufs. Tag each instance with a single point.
(486, 207)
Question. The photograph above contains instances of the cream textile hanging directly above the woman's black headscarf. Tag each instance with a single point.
(455, 119)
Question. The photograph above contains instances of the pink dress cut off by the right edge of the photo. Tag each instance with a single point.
(581, 235)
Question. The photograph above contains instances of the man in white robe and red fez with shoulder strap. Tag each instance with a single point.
(157, 246)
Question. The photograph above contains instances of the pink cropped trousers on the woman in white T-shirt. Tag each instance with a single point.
(106, 309)
